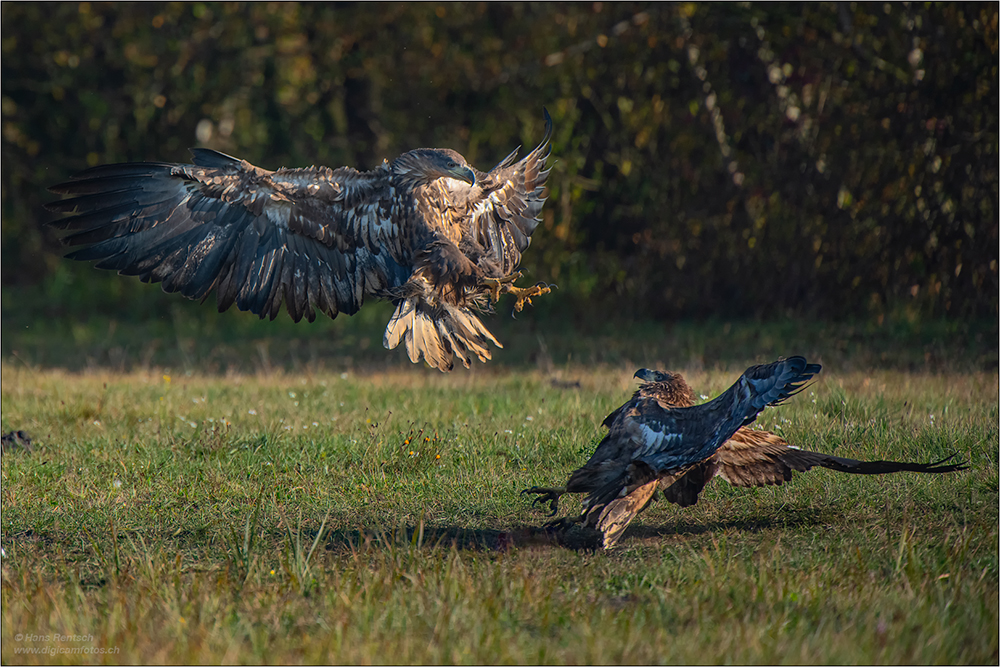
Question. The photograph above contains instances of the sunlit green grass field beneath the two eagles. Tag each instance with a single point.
(203, 502)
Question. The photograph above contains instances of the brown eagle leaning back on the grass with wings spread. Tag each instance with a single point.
(749, 457)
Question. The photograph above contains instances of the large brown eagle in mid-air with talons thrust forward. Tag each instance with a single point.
(426, 231)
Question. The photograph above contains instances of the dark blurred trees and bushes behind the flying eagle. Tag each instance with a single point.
(830, 160)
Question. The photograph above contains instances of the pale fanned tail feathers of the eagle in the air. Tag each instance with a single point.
(438, 333)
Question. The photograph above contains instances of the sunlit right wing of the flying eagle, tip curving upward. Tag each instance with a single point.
(506, 212)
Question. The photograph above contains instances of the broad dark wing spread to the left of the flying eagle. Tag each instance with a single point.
(316, 238)
